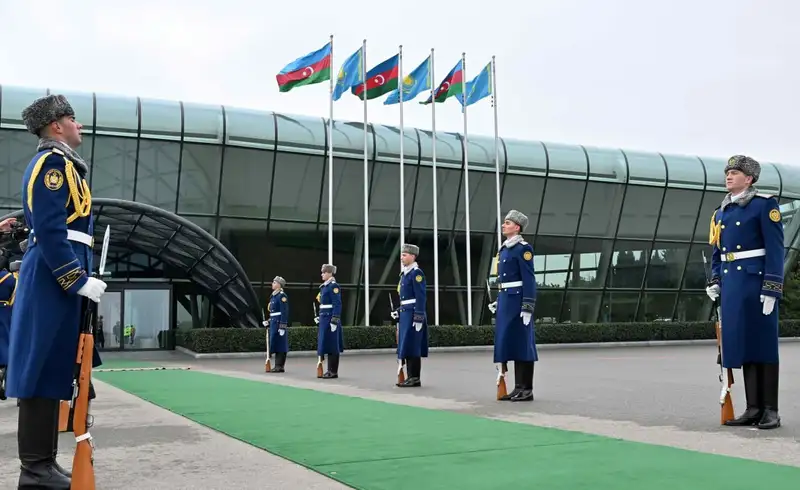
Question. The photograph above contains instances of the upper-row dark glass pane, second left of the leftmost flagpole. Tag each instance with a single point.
(246, 182)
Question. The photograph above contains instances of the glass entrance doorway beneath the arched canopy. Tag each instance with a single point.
(134, 318)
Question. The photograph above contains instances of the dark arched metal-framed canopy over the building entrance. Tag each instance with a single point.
(182, 245)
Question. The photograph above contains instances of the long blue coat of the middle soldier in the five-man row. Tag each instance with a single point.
(411, 289)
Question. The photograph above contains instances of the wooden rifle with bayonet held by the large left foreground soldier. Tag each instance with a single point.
(83, 461)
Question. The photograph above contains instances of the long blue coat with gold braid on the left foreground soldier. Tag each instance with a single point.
(47, 310)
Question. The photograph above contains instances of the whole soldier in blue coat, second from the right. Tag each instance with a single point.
(514, 334)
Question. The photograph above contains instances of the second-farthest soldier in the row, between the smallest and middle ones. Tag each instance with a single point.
(330, 340)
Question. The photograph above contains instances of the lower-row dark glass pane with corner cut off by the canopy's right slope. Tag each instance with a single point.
(245, 240)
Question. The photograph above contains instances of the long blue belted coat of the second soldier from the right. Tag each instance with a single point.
(513, 340)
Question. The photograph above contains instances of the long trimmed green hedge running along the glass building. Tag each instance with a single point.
(213, 340)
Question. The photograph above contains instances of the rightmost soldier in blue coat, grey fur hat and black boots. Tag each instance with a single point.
(746, 236)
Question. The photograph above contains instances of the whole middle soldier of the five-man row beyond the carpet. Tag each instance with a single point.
(412, 342)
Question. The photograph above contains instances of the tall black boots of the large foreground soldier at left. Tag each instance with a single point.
(35, 434)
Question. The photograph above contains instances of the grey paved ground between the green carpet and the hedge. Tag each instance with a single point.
(662, 395)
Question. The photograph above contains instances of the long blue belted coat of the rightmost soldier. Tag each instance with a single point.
(747, 262)
